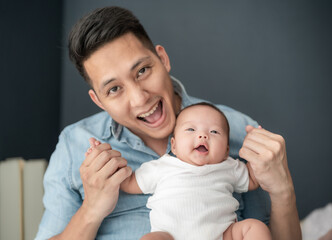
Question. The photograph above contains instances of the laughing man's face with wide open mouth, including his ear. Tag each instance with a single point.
(133, 85)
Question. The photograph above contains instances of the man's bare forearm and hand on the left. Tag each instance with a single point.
(102, 172)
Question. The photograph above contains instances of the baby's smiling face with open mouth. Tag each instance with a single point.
(200, 136)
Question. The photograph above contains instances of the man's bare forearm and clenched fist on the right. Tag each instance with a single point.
(266, 153)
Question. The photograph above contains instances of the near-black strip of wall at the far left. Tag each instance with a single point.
(30, 34)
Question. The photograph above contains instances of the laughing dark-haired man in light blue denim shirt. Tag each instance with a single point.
(130, 80)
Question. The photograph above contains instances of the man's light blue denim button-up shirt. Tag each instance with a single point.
(130, 219)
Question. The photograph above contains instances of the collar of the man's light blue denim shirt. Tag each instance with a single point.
(115, 128)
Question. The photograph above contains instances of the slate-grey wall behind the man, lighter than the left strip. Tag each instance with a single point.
(269, 59)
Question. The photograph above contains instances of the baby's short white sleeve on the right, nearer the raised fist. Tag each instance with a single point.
(241, 177)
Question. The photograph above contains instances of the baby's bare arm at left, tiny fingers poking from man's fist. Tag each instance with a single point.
(129, 185)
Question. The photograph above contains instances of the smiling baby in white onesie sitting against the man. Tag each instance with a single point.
(192, 193)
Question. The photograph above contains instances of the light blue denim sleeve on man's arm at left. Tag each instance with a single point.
(60, 199)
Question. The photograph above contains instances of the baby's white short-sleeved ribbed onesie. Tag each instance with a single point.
(192, 202)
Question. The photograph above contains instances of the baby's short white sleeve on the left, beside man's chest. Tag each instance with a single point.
(147, 176)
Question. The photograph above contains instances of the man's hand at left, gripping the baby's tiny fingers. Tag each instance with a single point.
(102, 172)
